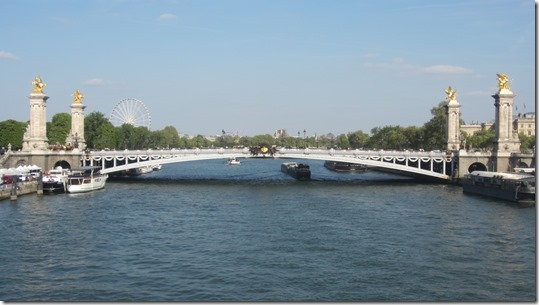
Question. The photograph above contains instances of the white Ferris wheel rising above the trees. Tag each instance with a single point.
(131, 111)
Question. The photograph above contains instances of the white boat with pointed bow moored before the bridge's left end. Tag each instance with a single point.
(86, 179)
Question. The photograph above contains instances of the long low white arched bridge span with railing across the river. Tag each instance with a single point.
(434, 165)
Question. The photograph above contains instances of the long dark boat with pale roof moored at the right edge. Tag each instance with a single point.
(515, 187)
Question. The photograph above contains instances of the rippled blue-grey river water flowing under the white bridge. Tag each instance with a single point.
(205, 231)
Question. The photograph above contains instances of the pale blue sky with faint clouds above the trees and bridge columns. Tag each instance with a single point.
(253, 66)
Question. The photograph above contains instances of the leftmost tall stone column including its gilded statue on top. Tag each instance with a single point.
(35, 137)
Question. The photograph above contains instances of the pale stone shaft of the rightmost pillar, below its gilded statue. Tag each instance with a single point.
(506, 140)
